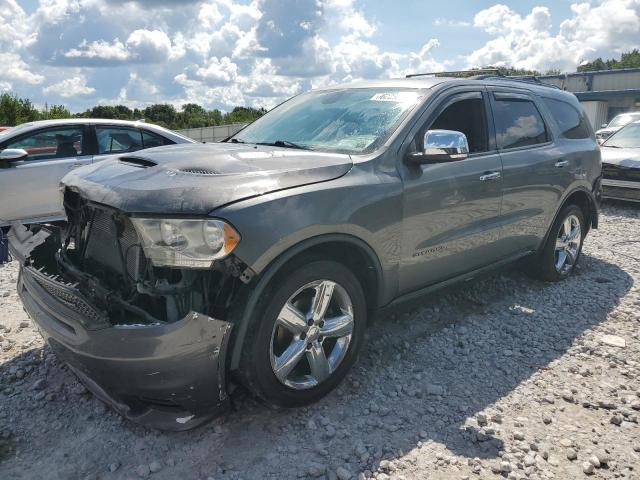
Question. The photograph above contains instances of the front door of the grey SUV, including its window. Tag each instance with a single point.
(452, 209)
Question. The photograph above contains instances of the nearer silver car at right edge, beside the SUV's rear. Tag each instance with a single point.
(621, 164)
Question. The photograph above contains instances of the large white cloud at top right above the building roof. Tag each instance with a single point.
(530, 42)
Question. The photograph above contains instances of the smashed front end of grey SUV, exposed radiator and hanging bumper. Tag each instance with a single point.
(145, 339)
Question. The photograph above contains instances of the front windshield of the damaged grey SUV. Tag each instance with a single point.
(353, 121)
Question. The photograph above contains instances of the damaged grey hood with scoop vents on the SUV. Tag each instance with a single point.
(198, 178)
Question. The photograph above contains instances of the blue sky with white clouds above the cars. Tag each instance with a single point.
(226, 53)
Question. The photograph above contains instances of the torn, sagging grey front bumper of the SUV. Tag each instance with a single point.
(169, 376)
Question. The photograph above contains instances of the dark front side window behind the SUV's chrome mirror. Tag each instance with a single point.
(466, 116)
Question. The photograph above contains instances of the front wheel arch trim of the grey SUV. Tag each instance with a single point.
(349, 250)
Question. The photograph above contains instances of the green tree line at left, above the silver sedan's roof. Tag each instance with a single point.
(15, 110)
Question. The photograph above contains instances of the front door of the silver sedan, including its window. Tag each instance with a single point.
(30, 187)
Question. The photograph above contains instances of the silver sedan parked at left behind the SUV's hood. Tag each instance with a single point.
(35, 156)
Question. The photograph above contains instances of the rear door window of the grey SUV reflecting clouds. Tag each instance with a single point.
(518, 123)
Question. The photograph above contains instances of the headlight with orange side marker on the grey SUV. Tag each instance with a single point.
(185, 243)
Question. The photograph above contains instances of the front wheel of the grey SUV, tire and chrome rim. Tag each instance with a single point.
(308, 330)
